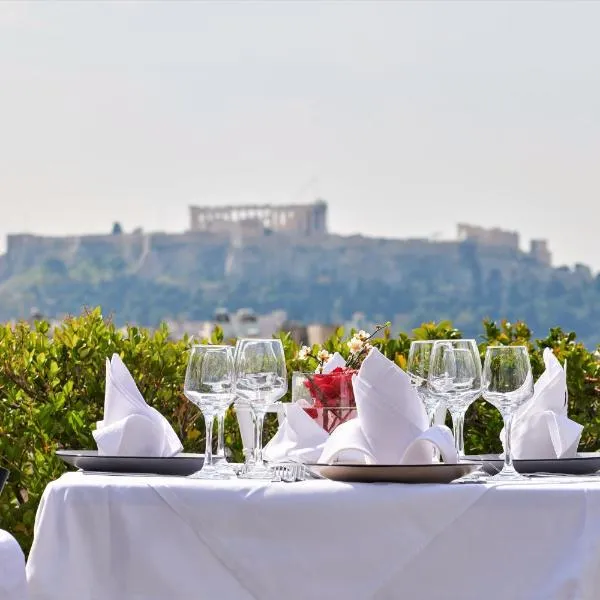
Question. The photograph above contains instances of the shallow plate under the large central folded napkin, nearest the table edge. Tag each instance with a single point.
(434, 473)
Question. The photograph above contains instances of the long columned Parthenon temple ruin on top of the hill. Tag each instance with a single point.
(307, 219)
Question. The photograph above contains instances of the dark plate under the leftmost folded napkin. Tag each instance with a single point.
(89, 460)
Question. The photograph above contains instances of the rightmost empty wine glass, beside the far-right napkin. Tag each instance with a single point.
(507, 385)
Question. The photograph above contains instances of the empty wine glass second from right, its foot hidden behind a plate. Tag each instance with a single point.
(455, 375)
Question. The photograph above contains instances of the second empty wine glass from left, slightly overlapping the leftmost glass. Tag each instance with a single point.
(260, 380)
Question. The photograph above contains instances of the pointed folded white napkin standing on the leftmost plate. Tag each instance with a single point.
(130, 426)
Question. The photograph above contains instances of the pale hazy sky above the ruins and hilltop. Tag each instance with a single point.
(406, 117)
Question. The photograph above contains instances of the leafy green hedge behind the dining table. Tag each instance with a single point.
(52, 393)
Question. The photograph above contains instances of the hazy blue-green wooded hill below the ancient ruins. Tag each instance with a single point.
(145, 278)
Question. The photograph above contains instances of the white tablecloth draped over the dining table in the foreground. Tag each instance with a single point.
(102, 537)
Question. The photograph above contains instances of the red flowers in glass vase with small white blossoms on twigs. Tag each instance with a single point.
(331, 392)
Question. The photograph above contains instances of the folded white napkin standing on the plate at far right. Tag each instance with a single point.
(541, 428)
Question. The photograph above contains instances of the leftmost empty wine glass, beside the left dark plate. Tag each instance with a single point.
(209, 385)
